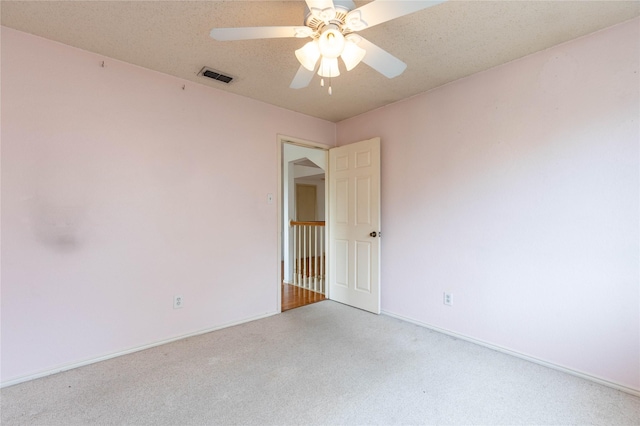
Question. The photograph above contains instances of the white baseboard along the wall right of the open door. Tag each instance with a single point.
(520, 355)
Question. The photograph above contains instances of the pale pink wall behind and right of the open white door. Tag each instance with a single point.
(517, 190)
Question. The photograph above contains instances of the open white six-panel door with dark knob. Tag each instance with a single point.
(354, 225)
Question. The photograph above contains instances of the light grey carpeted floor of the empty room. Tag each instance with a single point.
(320, 364)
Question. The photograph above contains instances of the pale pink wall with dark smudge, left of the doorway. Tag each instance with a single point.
(119, 190)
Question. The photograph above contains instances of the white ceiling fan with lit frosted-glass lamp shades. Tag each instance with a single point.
(332, 27)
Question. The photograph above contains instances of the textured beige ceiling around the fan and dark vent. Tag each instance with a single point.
(439, 44)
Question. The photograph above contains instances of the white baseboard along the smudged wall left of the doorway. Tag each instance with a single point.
(71, 366)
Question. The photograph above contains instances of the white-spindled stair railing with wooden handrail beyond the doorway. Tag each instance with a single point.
(308, 254)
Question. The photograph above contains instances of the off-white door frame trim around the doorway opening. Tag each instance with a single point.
(281, 140)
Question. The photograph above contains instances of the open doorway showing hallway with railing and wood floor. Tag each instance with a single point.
(302, 220)
